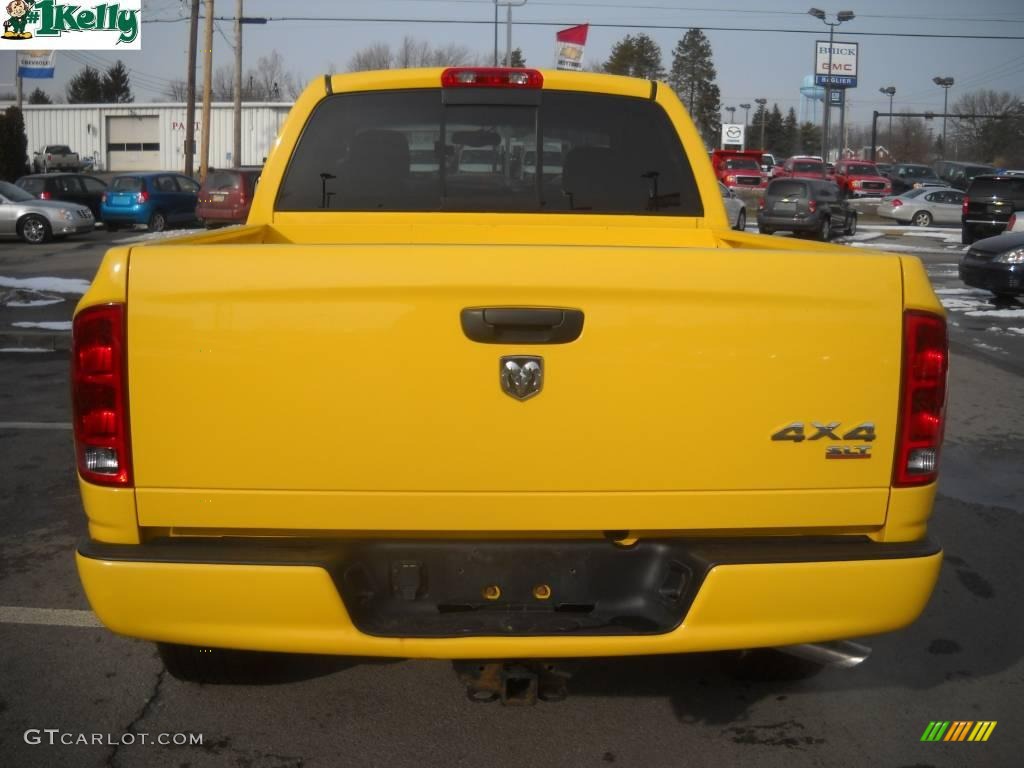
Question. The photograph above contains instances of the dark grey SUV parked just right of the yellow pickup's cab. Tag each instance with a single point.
(805, 206)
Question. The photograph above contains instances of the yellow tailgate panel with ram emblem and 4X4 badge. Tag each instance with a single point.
(340, 376)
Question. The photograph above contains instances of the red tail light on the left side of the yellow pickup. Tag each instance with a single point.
(100, 396)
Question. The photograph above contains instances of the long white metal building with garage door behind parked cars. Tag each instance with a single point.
(151, 138)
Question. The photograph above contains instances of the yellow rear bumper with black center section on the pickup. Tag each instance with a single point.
(382, 598)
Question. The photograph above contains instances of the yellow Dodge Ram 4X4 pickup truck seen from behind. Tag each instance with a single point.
(408, 411)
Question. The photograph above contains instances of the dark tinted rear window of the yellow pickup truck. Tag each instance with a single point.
(406, 151)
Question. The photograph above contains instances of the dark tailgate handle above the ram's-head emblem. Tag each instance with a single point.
(522, 325)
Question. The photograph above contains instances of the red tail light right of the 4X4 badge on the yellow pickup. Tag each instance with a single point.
(923, 401)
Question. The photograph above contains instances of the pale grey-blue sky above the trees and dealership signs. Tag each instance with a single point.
(751, 64)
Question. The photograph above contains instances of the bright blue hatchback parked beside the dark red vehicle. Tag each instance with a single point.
(156, 200)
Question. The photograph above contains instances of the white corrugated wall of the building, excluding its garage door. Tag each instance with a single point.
(83, 127)
